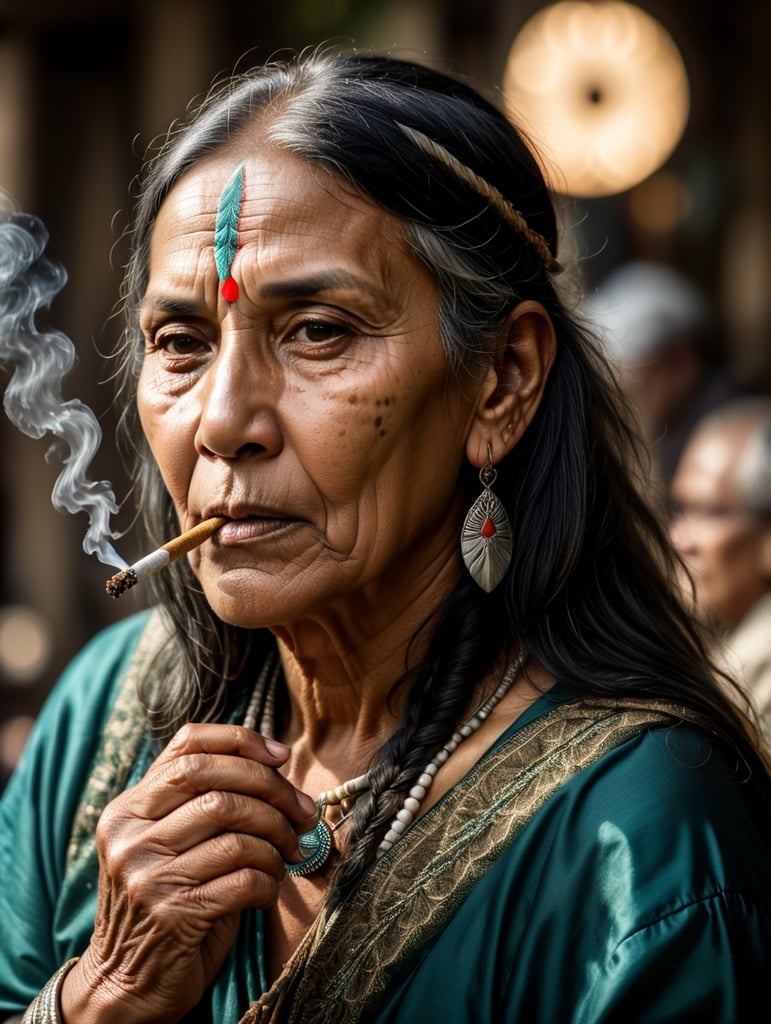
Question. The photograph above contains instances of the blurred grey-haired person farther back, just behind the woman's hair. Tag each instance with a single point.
(662, 332)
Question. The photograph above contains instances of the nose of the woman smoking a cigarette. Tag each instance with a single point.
(237, 409)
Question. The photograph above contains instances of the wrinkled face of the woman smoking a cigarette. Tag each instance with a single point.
(317, 411)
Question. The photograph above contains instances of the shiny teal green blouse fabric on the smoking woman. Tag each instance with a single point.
(641, 892)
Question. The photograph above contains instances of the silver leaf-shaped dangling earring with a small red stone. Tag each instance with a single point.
(487, 541)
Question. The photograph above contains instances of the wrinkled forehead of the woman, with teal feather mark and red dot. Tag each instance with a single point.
(247, 226)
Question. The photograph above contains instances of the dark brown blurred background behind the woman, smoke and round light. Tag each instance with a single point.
(87, 84)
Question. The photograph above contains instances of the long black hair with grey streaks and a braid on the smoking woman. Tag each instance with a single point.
(591, 592)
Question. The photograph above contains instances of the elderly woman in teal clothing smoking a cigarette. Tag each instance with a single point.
(422, 732)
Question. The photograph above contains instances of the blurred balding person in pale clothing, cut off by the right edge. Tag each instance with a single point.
(722, 528)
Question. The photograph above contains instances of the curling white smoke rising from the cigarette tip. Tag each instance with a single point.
(38, 361)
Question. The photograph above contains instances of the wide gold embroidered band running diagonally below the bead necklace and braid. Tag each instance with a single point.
(349, 959)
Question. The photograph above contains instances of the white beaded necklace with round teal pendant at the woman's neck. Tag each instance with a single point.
(318, 844)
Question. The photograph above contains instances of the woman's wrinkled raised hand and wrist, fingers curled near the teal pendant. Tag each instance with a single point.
(202, 837)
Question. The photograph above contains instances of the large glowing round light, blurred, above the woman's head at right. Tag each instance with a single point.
(603, 91)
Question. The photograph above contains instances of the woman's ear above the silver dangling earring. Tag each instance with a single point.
(515, 386)
